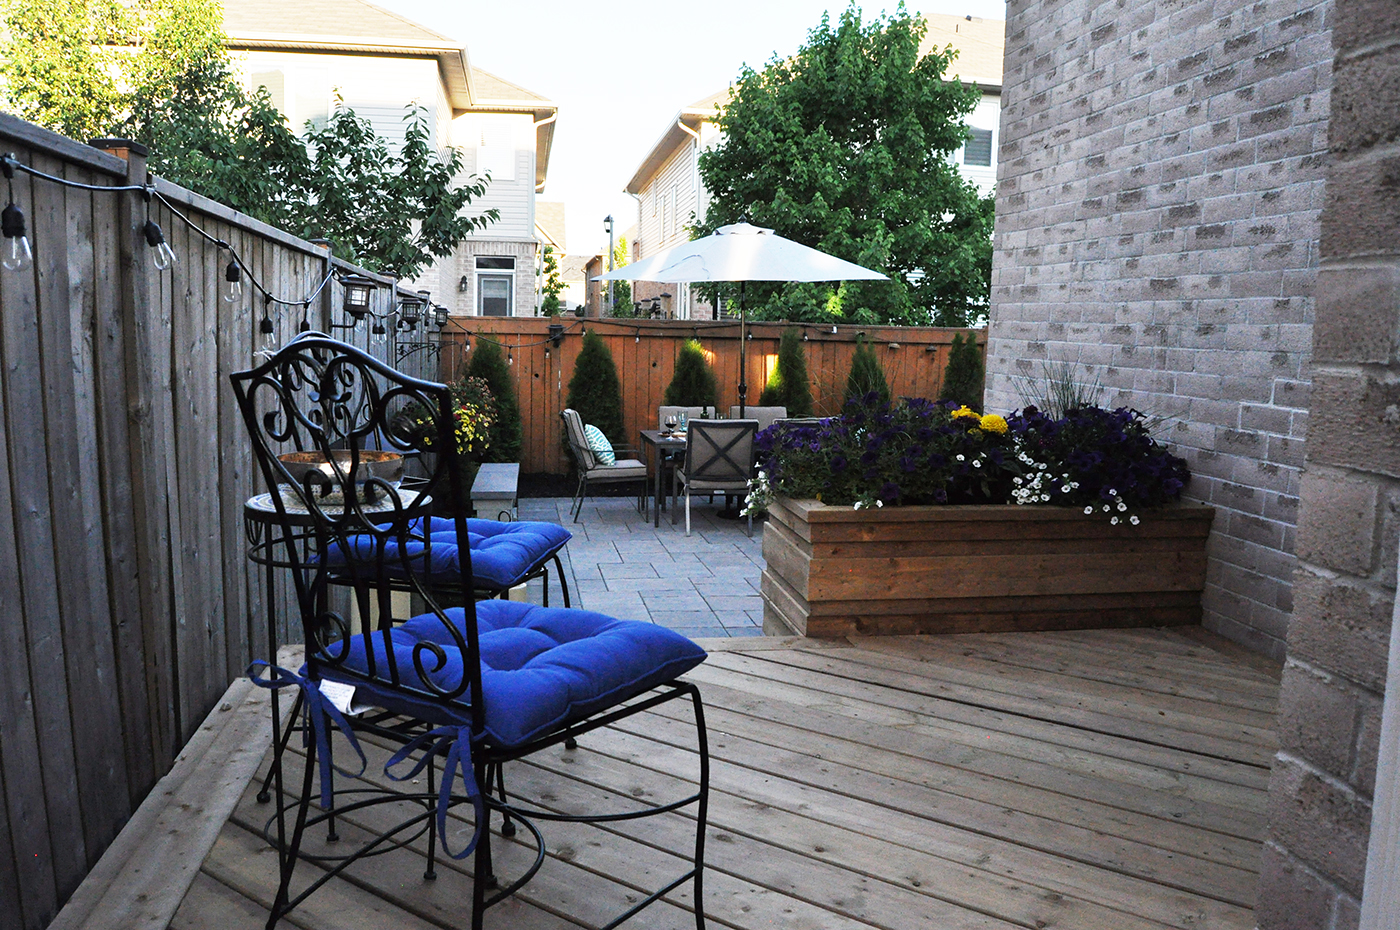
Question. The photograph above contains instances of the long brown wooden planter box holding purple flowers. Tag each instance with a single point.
(836, 571)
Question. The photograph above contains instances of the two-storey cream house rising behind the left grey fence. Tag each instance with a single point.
(316, 54)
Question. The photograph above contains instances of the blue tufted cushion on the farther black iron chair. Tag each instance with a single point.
(503, 554)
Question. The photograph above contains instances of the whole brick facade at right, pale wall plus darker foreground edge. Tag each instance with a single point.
(1199, 205)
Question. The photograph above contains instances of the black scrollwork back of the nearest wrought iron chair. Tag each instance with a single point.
(351, 536)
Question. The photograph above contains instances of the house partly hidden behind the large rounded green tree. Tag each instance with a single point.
(671, 197)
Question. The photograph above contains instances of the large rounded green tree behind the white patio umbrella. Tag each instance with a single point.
(845, 148)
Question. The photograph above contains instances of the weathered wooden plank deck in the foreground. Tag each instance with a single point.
(1093, 781)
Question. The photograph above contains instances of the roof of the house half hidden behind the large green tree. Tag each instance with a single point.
(981, 46)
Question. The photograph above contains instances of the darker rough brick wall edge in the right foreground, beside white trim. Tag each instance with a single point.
(1325, 775)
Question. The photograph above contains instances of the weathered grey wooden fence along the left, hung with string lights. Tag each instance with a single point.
(127, 606)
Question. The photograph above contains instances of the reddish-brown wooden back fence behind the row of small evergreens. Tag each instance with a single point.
(646, 351)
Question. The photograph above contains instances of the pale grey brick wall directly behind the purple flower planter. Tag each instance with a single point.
(1158, 204)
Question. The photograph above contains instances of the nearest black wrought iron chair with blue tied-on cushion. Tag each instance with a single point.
(461, 688)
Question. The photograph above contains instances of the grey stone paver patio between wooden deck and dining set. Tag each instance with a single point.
(618, 564)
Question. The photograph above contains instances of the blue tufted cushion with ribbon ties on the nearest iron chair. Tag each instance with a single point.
(541, 667)
